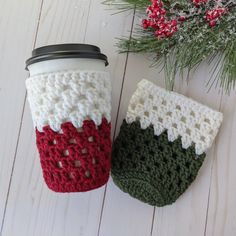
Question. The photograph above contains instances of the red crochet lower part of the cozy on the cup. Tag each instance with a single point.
(75, 160)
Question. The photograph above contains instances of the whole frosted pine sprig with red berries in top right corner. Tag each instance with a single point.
(181, 34)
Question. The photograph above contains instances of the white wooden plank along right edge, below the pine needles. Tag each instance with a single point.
(222, 214)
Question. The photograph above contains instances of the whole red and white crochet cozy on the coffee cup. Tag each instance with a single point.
(71, 114)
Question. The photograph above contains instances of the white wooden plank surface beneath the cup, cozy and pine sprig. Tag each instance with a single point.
(28, 208)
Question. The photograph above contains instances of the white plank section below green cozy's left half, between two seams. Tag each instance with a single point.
(123, 215)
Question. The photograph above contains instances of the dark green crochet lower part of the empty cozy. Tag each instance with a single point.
(149, 167)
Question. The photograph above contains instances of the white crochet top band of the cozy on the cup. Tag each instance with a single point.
(73, 96)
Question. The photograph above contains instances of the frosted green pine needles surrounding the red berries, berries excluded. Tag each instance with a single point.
(192, 44)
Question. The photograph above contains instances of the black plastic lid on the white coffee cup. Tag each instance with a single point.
(59, 51)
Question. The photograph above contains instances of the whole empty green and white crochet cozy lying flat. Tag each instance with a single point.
(161, 144)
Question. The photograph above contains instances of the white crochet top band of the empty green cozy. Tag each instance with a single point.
(179, 115)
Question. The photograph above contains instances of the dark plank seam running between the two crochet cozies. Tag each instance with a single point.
(117, 114)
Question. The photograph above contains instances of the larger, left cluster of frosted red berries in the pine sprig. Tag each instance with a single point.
(158, 21)
